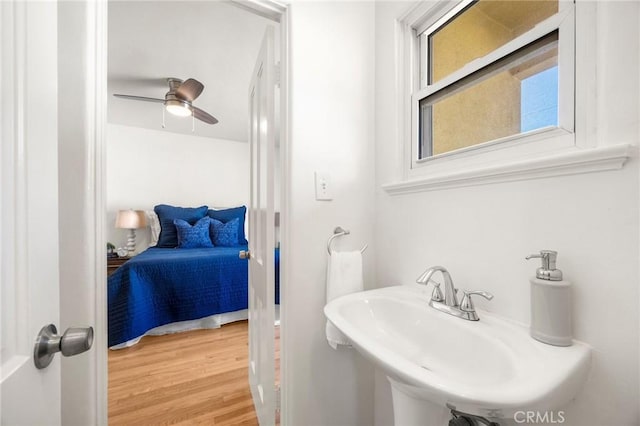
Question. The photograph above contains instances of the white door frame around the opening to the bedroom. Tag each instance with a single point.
(97, 35)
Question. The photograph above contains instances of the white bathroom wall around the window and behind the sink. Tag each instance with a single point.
(482, 233)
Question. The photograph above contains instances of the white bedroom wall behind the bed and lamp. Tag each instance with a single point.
(148, 167)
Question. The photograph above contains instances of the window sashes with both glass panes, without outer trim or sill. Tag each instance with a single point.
(492, 71)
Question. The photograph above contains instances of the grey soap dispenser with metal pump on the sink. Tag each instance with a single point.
(550, 302)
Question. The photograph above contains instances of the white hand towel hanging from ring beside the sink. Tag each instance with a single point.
(344, 276)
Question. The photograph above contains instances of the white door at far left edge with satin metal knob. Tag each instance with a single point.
(29, 289)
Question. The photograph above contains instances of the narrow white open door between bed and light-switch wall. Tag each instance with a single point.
(261, 233)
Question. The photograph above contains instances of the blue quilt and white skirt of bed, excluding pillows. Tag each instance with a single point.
(166, 290)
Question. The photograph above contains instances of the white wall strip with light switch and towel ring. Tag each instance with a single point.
(332, 61)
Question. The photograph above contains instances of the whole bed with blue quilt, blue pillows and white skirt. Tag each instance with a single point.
(191, 278)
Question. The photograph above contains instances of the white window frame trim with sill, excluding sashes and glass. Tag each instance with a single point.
(543, 153)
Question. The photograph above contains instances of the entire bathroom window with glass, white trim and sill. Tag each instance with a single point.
(546, 44)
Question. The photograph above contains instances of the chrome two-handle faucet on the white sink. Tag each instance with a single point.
(449, 303)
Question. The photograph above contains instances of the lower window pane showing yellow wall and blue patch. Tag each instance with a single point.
(515, 95)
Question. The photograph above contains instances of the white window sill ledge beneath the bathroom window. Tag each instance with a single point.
(571, 163)
